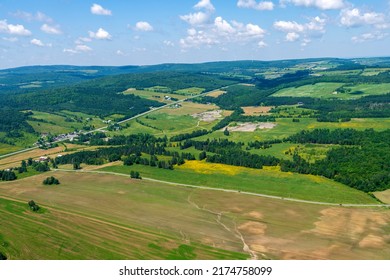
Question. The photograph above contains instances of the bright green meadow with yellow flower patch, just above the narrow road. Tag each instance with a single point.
(269, 181)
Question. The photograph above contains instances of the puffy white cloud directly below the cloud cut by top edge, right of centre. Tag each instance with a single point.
(294, 31)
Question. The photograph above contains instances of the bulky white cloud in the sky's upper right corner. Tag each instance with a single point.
(354, 18)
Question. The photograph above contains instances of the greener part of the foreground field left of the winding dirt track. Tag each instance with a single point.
(114, 218)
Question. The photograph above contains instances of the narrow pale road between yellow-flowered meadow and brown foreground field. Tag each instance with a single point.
(230, 191)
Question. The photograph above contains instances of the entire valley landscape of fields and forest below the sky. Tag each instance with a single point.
(228, 160)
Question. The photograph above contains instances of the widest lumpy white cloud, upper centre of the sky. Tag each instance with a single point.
(221, 31)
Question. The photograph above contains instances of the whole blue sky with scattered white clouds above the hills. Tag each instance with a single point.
(134, 32)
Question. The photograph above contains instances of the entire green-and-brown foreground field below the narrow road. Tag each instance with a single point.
(137, 219)
